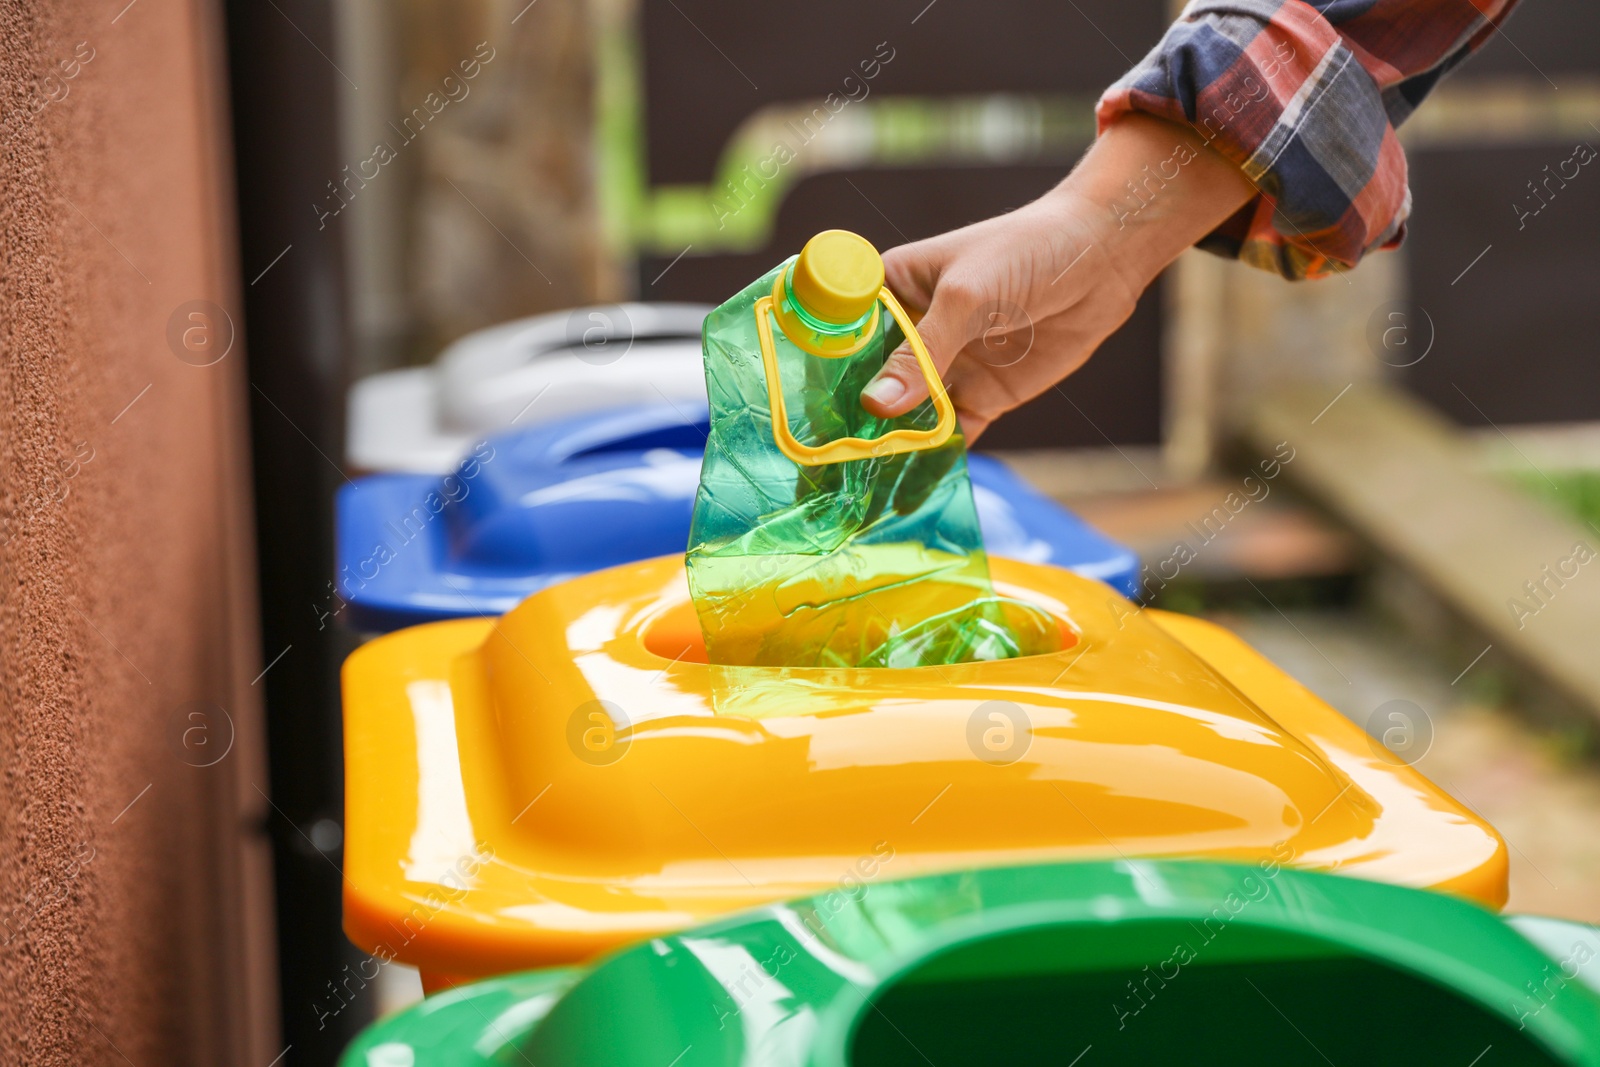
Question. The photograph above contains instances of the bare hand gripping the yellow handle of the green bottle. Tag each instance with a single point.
(1014, 305)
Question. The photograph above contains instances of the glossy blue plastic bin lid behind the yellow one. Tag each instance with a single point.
(532, 508)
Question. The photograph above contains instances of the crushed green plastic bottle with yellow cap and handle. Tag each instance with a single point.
(826, 537)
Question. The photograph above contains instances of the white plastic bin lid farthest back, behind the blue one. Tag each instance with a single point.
(526, 374)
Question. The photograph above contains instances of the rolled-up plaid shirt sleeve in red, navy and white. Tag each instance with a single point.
(1306, 95)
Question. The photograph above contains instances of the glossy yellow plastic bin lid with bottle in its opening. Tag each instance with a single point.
(500, 818)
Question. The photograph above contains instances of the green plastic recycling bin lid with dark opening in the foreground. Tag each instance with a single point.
(1094, 964)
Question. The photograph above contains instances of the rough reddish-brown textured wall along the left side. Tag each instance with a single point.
(134, 879)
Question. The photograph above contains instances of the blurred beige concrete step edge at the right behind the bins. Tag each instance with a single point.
(1414, 487)
